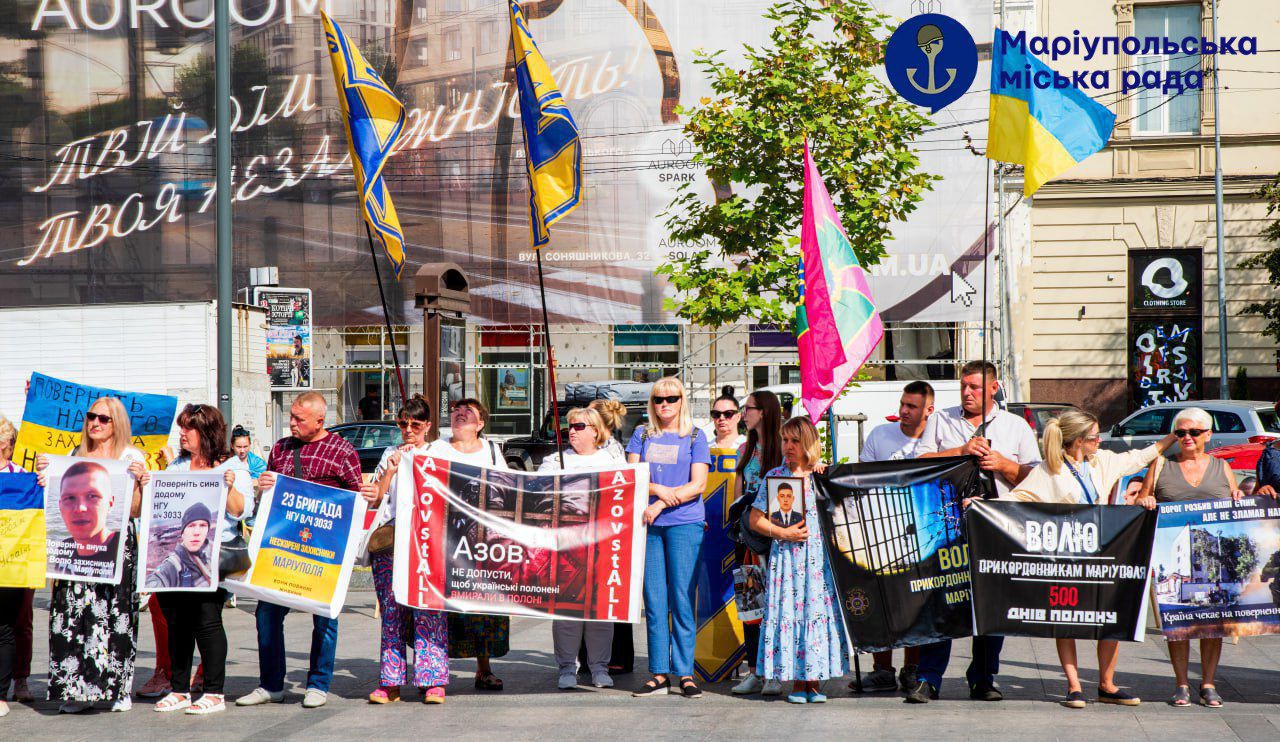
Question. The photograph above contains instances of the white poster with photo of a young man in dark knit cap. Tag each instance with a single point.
(180, 539)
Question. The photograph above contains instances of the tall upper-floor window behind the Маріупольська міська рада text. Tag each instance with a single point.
(1162, 113)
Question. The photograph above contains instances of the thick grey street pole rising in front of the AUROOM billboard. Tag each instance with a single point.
(223, 140)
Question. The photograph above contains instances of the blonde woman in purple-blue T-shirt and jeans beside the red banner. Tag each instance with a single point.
(679, 460)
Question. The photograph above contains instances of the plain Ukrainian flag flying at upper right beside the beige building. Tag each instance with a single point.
(1045, 131)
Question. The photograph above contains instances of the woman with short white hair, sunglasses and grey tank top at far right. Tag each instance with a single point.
(1192, 474)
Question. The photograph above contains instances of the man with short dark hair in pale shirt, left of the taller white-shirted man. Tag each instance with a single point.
(897, 442)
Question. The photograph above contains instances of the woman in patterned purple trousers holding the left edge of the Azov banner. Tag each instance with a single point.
(428, 629)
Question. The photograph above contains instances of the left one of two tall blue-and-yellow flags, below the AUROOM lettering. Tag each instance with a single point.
(376, 120)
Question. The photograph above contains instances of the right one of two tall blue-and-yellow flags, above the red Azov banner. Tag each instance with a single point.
(555, 153)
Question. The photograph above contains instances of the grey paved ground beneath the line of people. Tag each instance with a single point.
(533, 709)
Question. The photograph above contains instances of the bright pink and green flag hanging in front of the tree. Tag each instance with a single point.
(836, 322)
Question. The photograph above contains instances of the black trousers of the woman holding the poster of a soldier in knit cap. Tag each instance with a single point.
(196, 620)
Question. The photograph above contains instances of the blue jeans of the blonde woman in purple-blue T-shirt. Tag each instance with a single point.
(670, 583)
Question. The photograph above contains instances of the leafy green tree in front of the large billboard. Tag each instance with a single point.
(815, 80)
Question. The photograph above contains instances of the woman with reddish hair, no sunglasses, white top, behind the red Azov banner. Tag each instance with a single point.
(476, 635)
